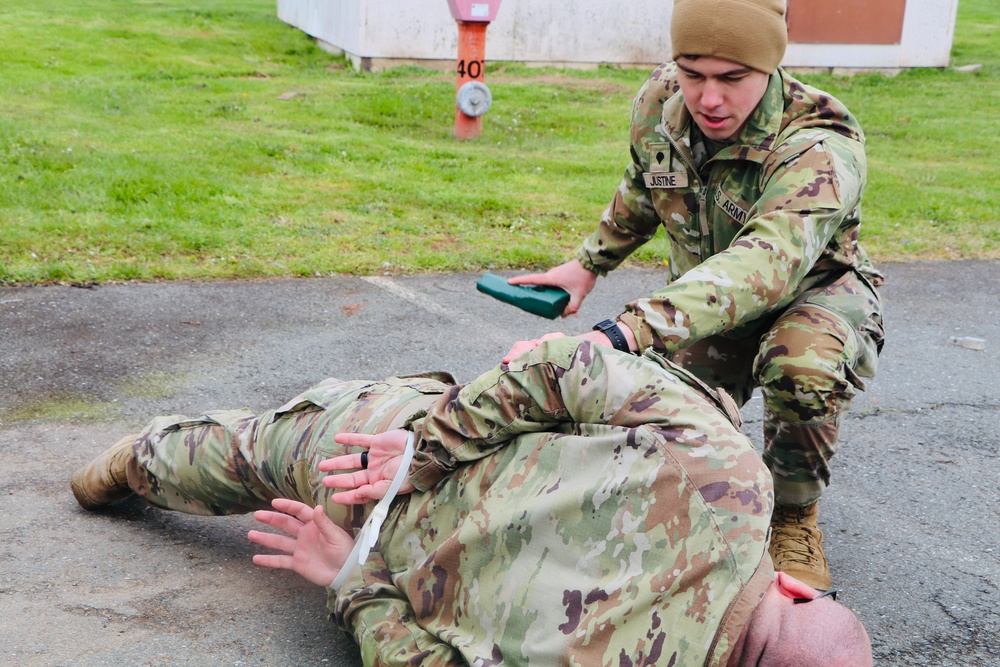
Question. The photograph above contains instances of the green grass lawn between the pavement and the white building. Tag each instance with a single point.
(181, 139)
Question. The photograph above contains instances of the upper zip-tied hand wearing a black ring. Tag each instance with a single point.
(385, 453)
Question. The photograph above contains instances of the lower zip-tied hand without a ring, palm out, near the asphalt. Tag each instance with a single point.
(314, 547)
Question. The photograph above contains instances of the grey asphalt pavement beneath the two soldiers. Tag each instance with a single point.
(912, 518)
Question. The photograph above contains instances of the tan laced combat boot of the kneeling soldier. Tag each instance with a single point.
(797, 545)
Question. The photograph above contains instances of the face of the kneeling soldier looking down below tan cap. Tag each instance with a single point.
(720, 94)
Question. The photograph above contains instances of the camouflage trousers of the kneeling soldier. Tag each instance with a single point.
(808, 364)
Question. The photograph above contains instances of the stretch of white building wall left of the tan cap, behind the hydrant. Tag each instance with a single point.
(533, 31)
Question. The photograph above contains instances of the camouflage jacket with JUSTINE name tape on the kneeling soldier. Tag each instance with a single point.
(768, 217)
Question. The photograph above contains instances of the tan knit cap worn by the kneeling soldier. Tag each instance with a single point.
(748, 32)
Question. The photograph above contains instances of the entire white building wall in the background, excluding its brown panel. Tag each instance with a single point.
(586, 32)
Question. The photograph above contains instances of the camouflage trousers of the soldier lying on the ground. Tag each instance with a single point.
(233, 462)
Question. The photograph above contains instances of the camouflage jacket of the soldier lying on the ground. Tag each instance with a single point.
(582, 507)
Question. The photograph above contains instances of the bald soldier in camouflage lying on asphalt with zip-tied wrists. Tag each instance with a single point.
(581, 506)
